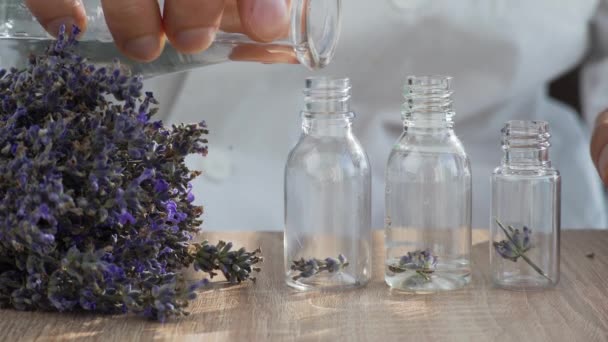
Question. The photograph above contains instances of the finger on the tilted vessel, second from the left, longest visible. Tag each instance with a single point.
(136, 26)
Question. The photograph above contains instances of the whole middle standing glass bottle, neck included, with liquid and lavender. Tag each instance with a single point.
(428, 195)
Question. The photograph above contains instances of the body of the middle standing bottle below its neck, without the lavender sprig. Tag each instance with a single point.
(428, 196)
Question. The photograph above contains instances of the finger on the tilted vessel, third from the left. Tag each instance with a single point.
(191, 25)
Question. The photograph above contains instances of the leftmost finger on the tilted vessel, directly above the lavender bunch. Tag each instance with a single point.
(53, 13)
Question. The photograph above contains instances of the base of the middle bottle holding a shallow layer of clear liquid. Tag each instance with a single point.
(436, 282)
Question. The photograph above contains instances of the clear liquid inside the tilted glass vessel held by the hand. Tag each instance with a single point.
(14, 52)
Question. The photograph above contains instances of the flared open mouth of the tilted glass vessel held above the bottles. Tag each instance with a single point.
(315, 31)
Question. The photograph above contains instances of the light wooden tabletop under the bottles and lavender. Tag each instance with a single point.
(577, 310)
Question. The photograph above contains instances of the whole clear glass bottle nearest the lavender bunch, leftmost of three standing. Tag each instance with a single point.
(327, 239)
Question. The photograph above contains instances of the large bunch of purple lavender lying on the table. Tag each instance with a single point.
(96, 207)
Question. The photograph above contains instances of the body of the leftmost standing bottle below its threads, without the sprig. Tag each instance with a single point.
(328, 207)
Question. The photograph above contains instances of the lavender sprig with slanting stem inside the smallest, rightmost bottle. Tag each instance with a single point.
(517, 244)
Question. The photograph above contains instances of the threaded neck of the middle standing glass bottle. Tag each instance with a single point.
(428, 102)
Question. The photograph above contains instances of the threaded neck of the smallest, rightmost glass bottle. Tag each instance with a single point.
(526, 144)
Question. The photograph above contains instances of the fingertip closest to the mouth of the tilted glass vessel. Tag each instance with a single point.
(264, 20)
